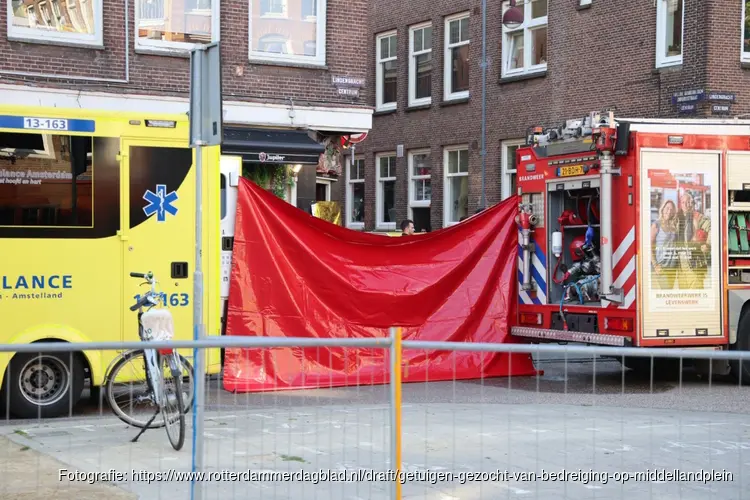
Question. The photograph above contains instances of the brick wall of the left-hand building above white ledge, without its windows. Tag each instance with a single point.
(346, 40)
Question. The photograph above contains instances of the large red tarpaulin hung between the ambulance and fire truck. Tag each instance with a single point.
(298, 276)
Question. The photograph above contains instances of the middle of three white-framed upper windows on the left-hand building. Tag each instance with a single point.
(175, 25)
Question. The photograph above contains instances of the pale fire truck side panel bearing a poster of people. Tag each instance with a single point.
(680, 240)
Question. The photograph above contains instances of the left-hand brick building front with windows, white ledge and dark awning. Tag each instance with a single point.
(281, 61)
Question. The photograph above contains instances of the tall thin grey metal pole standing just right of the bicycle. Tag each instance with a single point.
(198, 353)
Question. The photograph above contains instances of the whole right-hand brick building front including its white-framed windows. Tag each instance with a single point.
(580, 56)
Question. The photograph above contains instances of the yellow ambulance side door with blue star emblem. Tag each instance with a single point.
(160, 230)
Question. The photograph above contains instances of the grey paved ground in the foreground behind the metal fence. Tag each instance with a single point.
(573, 419)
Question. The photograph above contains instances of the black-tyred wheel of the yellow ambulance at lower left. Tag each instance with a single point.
(45, 385)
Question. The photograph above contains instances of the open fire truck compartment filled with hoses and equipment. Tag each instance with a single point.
(573, 210)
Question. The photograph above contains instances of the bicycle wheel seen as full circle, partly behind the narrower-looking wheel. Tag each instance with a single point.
(130, 395)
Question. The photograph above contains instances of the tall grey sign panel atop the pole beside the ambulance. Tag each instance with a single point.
(206, 112)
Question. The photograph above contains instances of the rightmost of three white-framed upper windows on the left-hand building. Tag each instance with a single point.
(281, 31)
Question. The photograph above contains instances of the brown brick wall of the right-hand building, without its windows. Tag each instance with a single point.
(597, 57)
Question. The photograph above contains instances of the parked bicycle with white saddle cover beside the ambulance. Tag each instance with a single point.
(159, 366)
